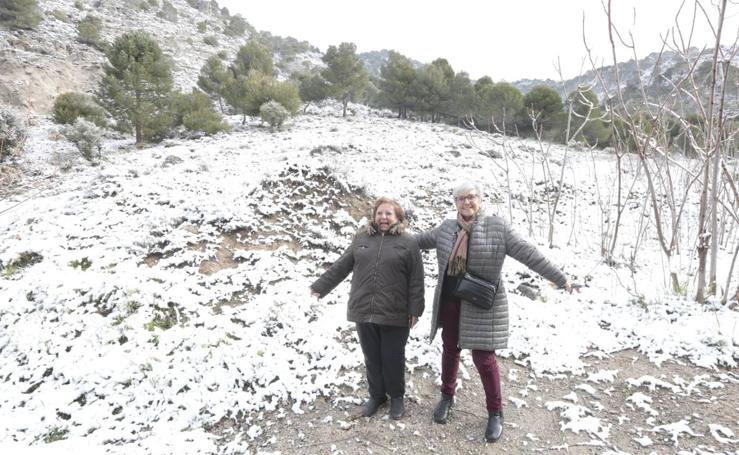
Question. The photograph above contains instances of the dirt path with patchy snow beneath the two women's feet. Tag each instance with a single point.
(616, 411)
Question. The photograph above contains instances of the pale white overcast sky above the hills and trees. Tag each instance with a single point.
(504, 39)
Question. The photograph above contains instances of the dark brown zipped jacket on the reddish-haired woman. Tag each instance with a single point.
(387, 285)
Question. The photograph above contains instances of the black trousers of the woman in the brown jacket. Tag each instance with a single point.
(383, 347)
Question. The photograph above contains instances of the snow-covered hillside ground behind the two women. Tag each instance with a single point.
(165, 290)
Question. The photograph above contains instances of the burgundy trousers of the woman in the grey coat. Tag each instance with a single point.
(485, 361)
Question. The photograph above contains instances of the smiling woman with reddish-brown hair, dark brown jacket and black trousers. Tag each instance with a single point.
(385, 301)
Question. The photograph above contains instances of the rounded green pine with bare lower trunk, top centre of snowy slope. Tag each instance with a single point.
(345, 73)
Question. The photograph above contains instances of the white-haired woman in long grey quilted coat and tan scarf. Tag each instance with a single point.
(478, 244)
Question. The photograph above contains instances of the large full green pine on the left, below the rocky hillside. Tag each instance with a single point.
(137, 86)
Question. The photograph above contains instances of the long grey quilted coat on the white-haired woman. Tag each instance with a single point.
(491, 240)
